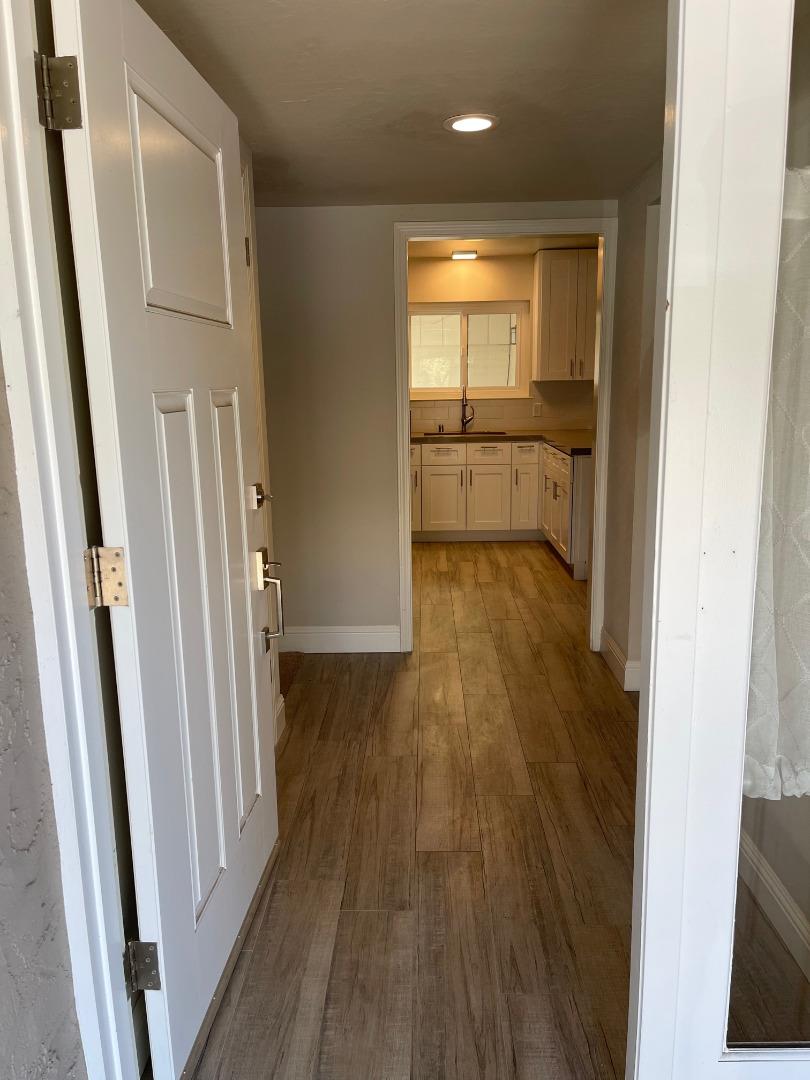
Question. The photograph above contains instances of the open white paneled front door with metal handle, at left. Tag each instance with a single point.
(156, 205)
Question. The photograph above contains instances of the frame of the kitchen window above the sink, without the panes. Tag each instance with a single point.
(523, 375)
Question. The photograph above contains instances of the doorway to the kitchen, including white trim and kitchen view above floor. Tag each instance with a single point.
(504, 331)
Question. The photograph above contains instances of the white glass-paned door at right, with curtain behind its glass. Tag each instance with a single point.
(732, 298)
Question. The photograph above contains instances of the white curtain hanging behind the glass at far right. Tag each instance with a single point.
(778, 739)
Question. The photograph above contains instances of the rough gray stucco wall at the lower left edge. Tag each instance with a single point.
(39, 1034)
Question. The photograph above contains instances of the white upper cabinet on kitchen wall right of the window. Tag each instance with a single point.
(564, 316)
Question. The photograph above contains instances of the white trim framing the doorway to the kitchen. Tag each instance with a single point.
(606, 228)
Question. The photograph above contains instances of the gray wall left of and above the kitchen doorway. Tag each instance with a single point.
(328, 304)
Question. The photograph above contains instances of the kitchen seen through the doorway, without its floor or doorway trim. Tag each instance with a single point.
(504, 349)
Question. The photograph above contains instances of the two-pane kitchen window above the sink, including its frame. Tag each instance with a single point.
(480, 346)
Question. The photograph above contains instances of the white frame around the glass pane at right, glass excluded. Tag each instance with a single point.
(727, 96)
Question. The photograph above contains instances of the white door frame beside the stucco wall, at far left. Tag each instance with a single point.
(47, 458)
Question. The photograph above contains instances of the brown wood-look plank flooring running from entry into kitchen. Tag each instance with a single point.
(453, 893)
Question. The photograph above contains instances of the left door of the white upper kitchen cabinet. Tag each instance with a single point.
(558, 347)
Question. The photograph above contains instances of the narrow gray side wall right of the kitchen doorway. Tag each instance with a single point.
(625, 411)
